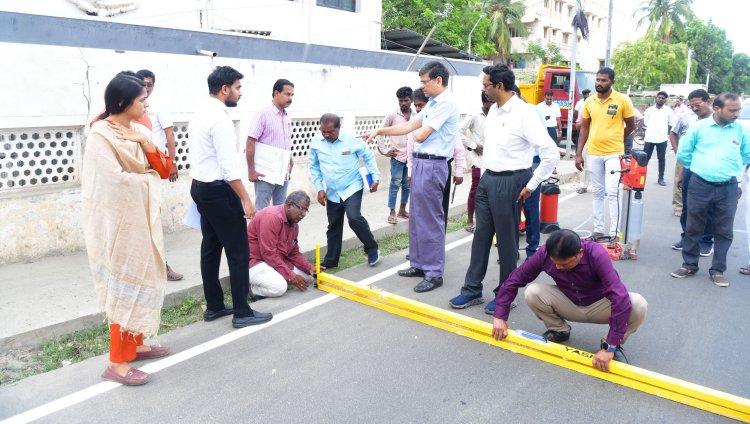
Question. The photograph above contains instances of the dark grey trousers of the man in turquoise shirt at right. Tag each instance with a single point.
(721, 199)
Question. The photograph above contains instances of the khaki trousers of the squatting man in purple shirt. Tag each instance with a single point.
(550, 305)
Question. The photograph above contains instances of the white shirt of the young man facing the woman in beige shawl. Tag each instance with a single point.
(213, 144)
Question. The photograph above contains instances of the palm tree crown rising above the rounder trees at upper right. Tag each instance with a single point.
(665, 17)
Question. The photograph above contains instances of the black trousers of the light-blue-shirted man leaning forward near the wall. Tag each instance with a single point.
(357, 223)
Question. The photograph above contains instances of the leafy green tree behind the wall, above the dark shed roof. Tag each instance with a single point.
(452, 19)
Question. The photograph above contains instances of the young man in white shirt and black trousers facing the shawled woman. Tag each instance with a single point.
(222, 201)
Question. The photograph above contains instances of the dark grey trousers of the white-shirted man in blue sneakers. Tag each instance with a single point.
(497, 212)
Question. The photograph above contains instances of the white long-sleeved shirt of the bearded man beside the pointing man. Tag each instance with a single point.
(511, 133)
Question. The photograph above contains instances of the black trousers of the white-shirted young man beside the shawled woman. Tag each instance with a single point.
(224, 228)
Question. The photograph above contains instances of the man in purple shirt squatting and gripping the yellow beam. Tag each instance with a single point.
(587, 289)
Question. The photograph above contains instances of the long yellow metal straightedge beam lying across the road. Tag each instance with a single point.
(661, 385)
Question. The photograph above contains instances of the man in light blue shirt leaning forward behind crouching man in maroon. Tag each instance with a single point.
(334, 159)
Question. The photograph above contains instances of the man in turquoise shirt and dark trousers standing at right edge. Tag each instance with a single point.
(715, 150)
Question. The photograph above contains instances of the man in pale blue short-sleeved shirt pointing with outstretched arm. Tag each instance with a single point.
(435, 130)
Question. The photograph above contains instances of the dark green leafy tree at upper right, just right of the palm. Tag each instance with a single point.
(713, 54)
